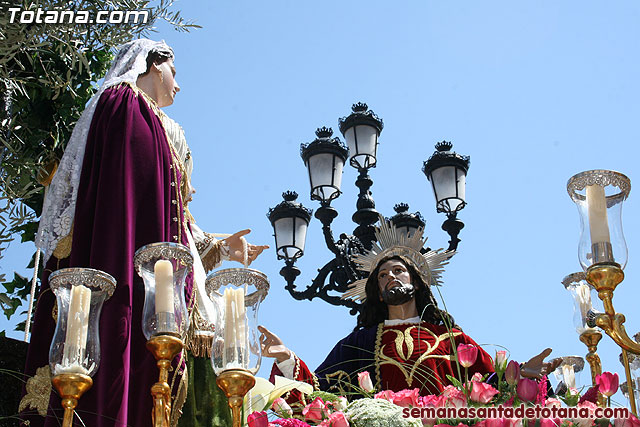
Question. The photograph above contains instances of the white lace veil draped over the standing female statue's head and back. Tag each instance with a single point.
(60, 201)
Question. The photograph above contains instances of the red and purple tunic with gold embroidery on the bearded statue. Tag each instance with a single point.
(398, 357)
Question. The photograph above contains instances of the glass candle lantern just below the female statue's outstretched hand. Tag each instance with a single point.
(237, 294)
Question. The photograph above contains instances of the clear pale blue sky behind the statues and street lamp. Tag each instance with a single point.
(534, 92)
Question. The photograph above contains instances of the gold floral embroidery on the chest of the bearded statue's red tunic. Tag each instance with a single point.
(406, 338)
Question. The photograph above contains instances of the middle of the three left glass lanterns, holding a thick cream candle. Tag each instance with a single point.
(164, 267)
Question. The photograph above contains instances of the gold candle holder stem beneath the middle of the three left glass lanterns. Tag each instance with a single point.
(164, 349)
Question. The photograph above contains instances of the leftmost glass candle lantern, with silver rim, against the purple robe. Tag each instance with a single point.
(80, 293)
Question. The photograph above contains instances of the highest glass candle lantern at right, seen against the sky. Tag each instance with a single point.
(599, 195)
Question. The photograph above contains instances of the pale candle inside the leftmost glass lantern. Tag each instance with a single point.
(77, 325)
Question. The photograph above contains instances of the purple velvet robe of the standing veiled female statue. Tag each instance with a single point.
(124, 202)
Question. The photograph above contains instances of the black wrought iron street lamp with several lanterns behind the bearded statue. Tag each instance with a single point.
(325, 158)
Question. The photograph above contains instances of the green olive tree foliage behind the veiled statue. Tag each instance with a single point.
(48, 72)
